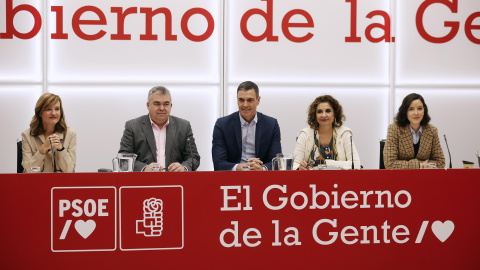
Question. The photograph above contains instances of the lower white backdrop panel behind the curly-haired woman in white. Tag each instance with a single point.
(366, 110)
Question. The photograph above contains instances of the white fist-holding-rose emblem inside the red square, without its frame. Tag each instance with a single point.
(152, 222)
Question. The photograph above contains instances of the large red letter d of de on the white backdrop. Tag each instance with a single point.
(268, 16)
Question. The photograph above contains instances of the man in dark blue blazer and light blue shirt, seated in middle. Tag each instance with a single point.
(246, 137)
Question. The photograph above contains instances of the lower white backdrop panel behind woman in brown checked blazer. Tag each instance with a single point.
(455, 113)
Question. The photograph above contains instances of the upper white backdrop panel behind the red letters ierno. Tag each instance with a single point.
(136, 60)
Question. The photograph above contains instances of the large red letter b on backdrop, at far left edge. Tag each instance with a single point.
(10, 15)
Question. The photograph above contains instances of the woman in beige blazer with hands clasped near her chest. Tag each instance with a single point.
(48, 124)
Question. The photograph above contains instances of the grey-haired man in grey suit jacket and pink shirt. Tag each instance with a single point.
(160, 139)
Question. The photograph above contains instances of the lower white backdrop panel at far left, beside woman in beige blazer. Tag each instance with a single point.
(17, 107)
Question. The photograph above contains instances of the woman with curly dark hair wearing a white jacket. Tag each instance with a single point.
(325, 118)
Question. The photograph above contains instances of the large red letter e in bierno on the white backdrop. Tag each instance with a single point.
(76, 22)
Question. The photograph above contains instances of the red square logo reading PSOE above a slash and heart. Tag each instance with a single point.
(83, 219)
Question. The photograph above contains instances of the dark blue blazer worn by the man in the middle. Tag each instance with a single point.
(227, 141)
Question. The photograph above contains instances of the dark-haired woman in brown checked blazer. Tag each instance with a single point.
(402, 150)
